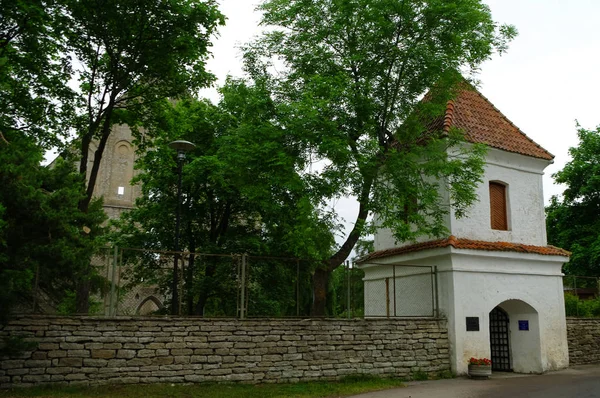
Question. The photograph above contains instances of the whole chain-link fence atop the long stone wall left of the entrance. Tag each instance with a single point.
(140, 282)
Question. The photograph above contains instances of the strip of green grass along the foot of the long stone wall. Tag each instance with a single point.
(350, 385)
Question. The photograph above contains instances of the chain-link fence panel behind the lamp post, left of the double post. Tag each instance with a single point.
(146, 282)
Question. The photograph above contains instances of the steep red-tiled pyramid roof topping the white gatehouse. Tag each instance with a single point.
(483, 123)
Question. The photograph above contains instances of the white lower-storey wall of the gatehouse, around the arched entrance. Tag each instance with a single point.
(471, 283)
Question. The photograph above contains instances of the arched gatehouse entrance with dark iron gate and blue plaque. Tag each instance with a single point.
(520, 337)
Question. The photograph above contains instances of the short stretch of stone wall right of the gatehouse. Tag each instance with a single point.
(584, 340)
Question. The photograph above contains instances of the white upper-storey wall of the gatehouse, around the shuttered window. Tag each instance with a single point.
(526, 218)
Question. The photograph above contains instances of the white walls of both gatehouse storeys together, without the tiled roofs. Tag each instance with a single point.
(471, 283)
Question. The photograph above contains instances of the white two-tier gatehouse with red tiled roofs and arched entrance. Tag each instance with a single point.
(495, 279)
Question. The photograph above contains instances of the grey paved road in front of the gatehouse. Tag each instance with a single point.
(576, 382)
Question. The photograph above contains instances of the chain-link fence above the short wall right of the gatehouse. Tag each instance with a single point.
(582, 296)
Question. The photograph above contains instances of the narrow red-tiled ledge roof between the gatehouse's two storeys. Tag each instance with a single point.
(467, 244)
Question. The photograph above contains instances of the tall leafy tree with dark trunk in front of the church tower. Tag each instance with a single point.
(127, 55)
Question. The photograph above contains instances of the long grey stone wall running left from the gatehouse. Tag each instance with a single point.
(88, 350)
